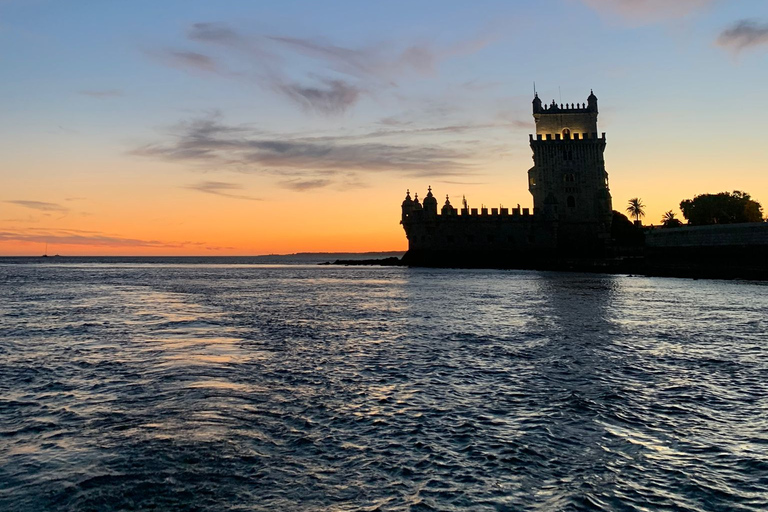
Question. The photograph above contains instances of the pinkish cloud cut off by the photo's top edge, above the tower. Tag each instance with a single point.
(644, 11)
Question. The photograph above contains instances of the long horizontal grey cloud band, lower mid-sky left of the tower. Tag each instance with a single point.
(214, 145)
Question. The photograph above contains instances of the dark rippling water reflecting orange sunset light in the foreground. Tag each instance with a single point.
(217, 387)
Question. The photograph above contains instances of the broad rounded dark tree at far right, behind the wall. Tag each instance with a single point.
(722, 208)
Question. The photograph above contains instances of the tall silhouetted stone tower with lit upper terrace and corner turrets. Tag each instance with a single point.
(568, 179)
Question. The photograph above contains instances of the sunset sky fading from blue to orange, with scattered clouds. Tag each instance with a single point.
(186, 127)
